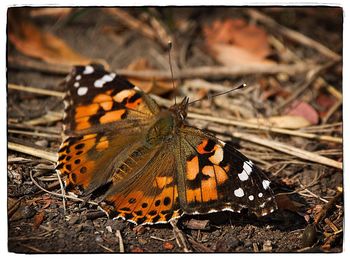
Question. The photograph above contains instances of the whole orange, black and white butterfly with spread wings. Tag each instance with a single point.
(151, 165)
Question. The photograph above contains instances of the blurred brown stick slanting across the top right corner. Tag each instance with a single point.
(291, 34)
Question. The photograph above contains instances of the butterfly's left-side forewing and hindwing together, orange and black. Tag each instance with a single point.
(105, 117)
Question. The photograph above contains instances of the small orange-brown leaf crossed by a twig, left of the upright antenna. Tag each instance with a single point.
(150, 84)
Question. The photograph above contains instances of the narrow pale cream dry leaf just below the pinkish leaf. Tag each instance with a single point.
(286, 122)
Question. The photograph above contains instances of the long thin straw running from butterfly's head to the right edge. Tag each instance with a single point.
(260, 127)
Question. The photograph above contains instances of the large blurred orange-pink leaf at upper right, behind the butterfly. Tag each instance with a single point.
(234, 42)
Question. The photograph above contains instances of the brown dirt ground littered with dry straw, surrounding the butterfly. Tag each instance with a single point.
(310, 215)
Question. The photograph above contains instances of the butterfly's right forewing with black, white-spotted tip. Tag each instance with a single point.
(213, 176)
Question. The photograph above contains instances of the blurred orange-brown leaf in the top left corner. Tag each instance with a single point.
(31, 41)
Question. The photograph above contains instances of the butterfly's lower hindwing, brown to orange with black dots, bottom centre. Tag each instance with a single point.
(149, 194)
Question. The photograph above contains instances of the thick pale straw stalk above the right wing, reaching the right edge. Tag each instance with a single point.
(303, 154)
